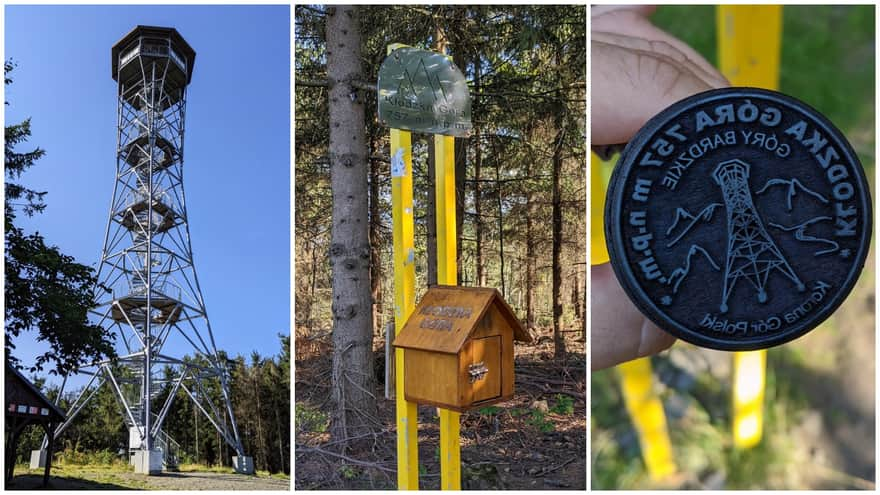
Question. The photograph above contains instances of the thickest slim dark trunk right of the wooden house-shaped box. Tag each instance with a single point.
(558, 341)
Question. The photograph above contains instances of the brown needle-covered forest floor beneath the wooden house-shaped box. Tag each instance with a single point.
(534, 441)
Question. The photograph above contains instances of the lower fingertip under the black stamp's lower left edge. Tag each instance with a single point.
(619, 331)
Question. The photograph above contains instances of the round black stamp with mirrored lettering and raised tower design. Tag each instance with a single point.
(738, 219)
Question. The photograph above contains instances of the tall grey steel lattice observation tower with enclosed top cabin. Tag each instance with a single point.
(154, 304)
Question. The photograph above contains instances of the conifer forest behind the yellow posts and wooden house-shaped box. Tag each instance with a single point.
(520, 222)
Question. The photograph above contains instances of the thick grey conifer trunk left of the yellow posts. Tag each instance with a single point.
(352, 376)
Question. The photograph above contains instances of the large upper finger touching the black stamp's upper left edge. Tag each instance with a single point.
(630, 86)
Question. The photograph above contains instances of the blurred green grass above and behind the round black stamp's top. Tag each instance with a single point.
(827, 60)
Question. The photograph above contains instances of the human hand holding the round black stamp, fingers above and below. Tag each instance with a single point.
(638, 70)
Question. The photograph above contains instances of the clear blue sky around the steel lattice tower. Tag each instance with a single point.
(237, 161)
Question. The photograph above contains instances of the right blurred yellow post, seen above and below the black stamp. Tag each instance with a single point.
(749, 38)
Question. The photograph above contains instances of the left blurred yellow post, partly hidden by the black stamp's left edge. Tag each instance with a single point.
(642, 402)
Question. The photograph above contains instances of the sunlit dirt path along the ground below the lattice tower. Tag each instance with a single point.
(114, 480)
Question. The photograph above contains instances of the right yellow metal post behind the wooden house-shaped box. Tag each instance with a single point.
(444, 183)
